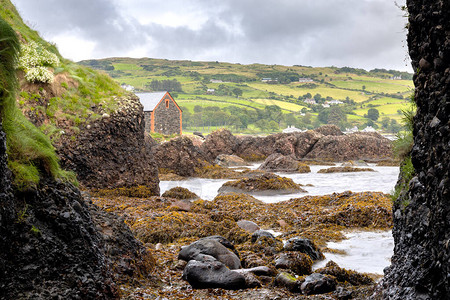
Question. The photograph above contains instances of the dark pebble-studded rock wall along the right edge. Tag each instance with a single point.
(421, 262)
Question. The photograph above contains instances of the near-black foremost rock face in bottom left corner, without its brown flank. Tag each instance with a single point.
(52, 248)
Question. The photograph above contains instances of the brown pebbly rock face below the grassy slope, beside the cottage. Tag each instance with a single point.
(112, 152)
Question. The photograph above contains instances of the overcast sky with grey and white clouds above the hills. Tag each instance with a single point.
(357, 33)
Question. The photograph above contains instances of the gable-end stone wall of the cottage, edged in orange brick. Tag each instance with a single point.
(167, 117)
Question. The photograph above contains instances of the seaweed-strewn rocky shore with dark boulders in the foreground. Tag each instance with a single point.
(193, 241)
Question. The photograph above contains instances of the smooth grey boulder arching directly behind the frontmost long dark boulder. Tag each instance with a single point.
(212, 248)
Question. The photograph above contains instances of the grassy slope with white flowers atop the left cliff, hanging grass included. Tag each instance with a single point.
(56, 95)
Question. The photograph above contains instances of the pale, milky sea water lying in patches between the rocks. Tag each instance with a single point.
(361, 251)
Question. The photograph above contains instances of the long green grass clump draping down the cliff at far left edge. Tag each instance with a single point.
(30, 152)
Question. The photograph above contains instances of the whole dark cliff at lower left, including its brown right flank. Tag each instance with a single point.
(54, 244)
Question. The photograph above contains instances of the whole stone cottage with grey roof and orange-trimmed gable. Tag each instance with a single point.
(161, 113)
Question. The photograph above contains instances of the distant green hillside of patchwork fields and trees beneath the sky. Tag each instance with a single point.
(217, 94)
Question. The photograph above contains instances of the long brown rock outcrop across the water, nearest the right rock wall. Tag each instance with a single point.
(351, 147)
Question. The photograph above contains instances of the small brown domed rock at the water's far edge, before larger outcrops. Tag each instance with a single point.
(278, 162)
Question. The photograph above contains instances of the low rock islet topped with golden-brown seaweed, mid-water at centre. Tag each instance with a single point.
(267, 183)
